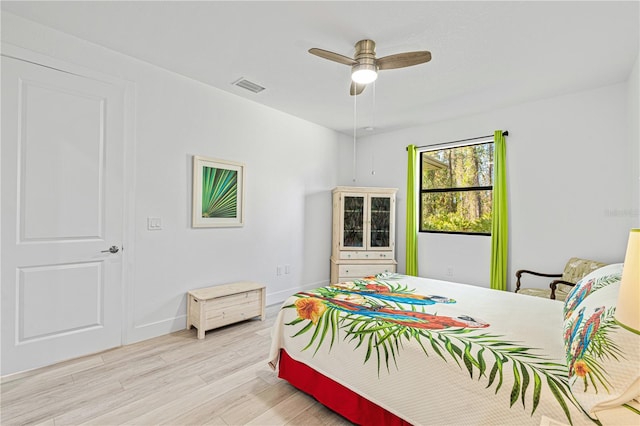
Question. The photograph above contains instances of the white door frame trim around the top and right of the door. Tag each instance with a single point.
(128, 164)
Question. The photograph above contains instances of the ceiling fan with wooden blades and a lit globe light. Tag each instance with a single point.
(365, 65)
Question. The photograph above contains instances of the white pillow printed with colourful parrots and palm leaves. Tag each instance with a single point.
(603, 358)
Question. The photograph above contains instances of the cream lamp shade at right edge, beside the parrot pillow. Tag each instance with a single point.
(628, 308)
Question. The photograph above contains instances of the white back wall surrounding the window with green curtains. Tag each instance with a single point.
(569, 172)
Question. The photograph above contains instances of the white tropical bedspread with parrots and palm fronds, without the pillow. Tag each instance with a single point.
(435, 352)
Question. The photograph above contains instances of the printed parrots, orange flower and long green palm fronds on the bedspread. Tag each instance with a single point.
(483, 355)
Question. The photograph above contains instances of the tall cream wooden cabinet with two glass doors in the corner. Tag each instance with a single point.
(363, 241)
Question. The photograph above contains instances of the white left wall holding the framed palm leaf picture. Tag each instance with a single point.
(290, 171)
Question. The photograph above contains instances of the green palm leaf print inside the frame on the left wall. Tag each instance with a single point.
(219, 192)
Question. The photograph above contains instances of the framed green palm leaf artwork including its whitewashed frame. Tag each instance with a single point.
(218, 193)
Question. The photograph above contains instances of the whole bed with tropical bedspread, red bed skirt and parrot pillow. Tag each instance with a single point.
(394, 349)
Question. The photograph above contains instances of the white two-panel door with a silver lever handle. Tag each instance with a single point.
(62, 207)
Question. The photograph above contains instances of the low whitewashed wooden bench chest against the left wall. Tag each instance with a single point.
(213, 307)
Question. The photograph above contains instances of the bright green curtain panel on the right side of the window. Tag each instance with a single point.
(500, 218)
